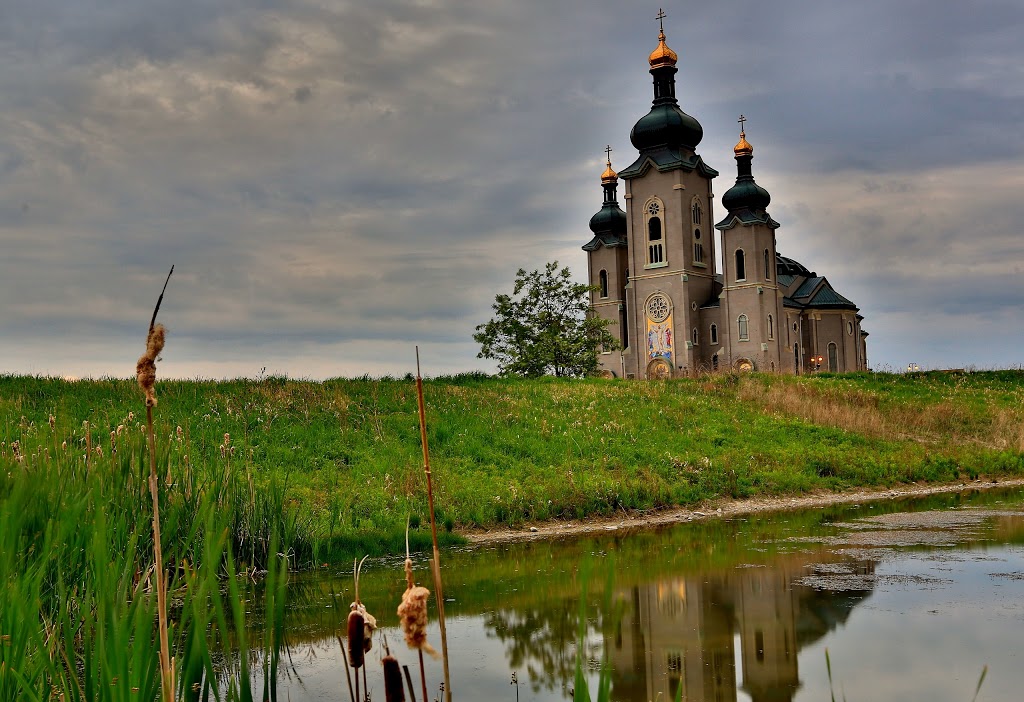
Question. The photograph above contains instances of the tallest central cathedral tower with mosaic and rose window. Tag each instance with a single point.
(671, 252)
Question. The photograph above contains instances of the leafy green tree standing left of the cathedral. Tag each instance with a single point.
(545, 327)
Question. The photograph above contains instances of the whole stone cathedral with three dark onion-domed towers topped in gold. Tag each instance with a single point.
(655, 273)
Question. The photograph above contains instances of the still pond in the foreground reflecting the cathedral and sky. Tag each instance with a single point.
(911, 599)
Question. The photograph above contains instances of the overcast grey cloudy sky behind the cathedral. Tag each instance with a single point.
(337, 182)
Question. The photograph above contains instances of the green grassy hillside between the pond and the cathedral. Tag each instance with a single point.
(337, 467)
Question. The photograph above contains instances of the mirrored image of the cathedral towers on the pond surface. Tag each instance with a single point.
(682, 632)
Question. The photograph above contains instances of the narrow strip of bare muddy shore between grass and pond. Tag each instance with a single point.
(718, 509)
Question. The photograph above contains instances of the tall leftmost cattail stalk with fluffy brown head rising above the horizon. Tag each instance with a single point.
(146, 372)
